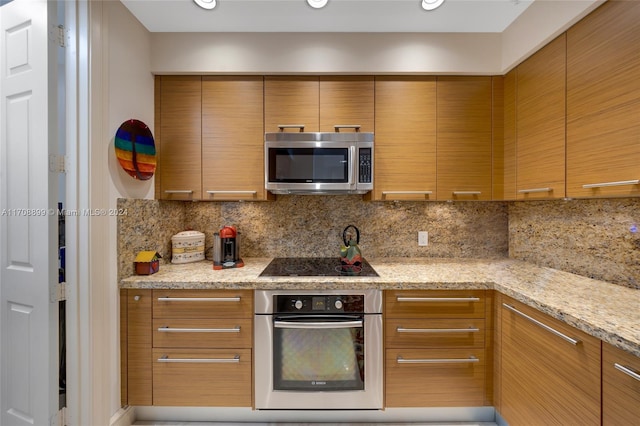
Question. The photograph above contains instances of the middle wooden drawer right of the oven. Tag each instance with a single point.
(434, 333)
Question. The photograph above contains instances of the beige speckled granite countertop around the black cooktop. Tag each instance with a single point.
(607, 311)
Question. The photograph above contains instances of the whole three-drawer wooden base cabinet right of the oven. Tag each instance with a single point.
(436, 348)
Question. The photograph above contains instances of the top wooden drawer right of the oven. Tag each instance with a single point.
(434, 304)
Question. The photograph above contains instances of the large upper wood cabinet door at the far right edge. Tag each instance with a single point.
(603, 102)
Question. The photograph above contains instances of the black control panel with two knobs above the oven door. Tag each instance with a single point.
(307, 303)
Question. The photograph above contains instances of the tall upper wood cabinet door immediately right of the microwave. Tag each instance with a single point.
(405, 144)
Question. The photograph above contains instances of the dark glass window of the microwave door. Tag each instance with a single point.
(309, 165)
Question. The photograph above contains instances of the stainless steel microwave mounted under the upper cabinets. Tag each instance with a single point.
(318, 162)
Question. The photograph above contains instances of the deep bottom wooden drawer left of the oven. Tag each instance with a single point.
(195, 377)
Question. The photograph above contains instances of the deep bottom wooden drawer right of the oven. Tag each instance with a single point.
(435, 378)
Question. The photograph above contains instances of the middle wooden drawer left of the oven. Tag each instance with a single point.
(202, 333)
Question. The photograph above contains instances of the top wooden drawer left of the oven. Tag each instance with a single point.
(202, 303)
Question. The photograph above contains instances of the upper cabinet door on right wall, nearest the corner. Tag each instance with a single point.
(540, 123)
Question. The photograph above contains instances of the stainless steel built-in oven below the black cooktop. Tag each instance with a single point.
(318, 349)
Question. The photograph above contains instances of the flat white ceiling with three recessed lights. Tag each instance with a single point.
(454, 16)
